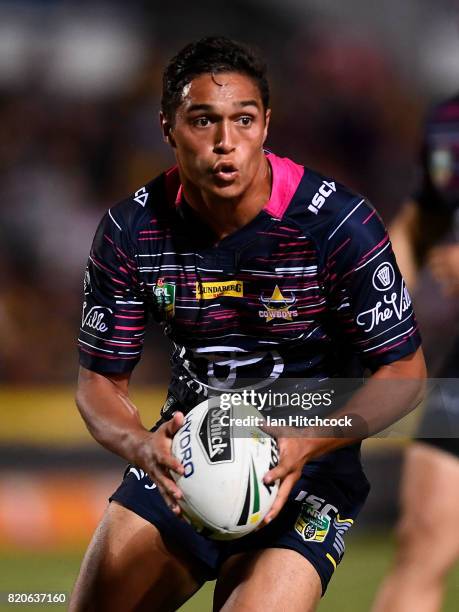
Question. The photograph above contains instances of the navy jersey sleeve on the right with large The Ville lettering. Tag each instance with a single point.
(370, 304)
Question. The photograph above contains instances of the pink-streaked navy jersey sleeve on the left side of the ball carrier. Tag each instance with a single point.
(114, 315)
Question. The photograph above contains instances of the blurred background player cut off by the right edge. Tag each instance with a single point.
(427, 231)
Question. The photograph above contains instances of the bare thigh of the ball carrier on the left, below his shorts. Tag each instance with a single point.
(129, 566)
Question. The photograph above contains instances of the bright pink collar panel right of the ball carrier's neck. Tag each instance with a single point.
(286, 178)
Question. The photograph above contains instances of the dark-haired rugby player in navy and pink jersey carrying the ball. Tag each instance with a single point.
(256, 268)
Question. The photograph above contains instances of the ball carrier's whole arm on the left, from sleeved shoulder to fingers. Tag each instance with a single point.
(114, 318)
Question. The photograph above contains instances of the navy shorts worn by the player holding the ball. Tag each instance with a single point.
(320, 510)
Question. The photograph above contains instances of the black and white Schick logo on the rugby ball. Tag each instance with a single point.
(216, 437)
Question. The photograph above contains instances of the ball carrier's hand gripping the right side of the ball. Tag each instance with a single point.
(293, 454)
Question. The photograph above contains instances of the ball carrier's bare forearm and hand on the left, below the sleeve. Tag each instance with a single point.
(114, 421)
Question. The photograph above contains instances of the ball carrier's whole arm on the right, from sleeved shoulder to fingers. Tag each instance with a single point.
(373, 316)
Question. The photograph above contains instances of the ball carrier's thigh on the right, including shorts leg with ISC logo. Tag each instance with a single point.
(288, 564)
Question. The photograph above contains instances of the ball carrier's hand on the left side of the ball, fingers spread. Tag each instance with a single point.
(155, 458)
